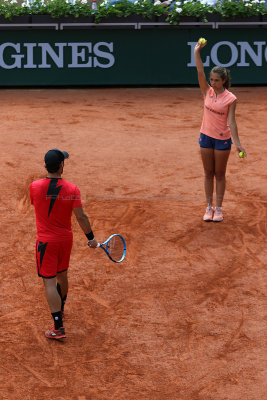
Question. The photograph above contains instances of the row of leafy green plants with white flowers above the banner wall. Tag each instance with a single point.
(125, 8)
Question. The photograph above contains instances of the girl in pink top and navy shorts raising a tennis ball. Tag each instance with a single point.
(218, 125)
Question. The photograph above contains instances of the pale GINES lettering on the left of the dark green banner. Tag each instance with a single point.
(83, 55)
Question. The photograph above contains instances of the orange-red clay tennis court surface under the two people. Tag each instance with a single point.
(183, 317)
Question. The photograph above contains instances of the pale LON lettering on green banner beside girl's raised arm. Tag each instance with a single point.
(238, 54)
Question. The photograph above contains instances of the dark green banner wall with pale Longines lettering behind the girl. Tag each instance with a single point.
(128, 57)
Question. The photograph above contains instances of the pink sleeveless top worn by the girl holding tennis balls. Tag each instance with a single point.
(215, 117)
